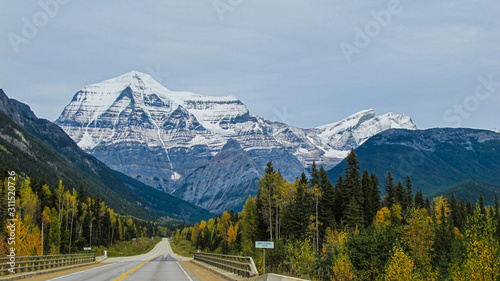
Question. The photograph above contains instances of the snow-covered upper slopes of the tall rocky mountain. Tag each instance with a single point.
(134, 108)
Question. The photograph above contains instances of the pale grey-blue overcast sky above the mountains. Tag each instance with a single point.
(306, 63)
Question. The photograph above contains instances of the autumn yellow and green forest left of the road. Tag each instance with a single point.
(59, 220)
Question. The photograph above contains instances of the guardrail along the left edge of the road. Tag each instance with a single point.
(34, 263)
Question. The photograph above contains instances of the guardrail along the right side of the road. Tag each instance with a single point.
(243, 266)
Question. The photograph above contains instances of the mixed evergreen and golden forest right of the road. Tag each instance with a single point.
(347, 231)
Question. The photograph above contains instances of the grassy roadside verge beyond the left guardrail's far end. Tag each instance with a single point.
(129, 248)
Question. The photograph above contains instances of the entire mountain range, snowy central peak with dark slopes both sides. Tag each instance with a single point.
(211, 152)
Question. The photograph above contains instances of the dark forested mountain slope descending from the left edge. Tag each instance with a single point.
(37, 147)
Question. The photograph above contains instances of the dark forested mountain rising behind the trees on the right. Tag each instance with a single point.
(439, 161)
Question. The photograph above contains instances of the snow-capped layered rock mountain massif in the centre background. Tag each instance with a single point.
(138, 127)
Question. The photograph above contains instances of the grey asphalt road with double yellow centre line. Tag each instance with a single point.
(159, 264)
